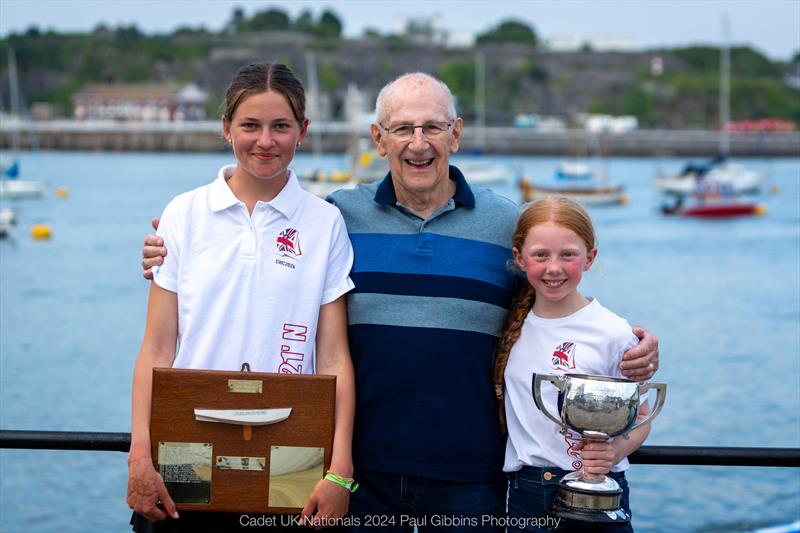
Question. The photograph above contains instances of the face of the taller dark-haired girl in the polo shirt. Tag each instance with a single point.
(264, 135)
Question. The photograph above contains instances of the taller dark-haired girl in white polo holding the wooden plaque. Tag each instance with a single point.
(250, 254)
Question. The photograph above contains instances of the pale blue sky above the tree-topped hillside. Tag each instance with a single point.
(770, 26)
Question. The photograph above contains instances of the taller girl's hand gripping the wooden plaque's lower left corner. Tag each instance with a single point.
(147, 494)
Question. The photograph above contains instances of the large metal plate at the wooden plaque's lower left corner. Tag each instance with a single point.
(186, 469)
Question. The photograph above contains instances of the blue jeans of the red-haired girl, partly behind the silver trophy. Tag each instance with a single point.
(530, 492)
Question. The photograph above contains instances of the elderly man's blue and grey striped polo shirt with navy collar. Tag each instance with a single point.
(430, 299)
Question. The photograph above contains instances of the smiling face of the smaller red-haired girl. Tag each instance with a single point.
(554, 259)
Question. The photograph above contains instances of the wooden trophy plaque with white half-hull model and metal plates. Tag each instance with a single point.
(241, 441)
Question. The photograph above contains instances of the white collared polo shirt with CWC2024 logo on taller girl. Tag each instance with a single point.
(250, 287)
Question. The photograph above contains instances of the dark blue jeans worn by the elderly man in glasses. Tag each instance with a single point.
(393, 503)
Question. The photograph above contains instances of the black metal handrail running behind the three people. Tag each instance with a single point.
(654, 455)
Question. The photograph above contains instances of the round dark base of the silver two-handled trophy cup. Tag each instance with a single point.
(575, 502)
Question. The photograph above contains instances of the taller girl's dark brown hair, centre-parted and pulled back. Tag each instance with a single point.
(260, 77)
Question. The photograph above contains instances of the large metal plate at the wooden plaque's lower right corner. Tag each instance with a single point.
(294, 471)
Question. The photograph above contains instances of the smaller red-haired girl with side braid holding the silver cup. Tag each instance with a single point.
(553, 329)
